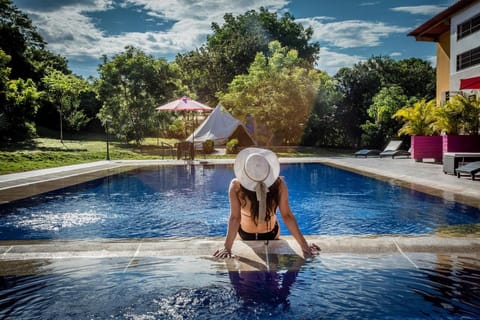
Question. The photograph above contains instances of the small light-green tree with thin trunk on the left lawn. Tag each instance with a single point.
(64, 91)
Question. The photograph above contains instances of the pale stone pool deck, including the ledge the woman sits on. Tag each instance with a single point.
(16, 256)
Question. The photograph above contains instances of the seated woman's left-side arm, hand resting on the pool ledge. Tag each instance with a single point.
(233, 222)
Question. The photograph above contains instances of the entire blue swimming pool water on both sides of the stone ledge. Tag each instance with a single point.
(191, 201)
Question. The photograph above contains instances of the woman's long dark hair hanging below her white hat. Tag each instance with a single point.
(273, 196)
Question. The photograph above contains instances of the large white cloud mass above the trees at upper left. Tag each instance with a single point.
(70, 32)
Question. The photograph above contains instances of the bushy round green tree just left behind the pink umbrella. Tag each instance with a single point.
(131, 84)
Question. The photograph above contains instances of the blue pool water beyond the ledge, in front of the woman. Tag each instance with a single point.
(191, 201)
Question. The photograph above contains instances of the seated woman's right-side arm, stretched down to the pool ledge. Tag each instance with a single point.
(291, 222)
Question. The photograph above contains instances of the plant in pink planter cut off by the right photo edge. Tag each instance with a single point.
(459, 121)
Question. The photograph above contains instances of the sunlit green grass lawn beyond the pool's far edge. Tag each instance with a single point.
(50, 152)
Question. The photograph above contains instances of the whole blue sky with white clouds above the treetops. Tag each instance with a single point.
(348, 31)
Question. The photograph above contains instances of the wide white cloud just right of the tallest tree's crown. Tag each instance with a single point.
(350, 33)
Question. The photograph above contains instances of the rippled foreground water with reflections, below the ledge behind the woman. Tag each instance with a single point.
(330, 286)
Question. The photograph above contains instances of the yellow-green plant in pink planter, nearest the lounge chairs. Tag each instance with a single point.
(419, 122)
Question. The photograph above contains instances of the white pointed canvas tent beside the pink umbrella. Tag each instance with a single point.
(220, 126)
